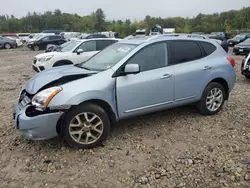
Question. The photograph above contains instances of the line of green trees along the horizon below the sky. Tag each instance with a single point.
(228, 21)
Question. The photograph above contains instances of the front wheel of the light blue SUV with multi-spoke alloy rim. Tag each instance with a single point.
(72, 132)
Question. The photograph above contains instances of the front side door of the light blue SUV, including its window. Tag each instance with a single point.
(150, 90)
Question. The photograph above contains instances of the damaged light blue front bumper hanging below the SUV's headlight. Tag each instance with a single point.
(41, 126)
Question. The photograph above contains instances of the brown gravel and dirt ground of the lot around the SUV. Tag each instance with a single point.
(175, 148)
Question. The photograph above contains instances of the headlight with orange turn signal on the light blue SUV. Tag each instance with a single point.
(42, 99)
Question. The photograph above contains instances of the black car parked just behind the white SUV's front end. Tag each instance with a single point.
(42, 43)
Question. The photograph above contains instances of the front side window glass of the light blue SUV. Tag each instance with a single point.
(151, 57)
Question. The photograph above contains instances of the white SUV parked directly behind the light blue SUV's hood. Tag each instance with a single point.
(77, 51)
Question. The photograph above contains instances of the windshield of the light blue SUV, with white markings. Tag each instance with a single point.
(108, 57)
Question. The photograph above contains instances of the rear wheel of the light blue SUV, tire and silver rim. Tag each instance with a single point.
(202, 105)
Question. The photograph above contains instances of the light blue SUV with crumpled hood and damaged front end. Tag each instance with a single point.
(129, 78)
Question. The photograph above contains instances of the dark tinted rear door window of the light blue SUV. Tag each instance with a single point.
(185, 51)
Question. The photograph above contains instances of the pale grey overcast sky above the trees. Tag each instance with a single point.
(122, 9)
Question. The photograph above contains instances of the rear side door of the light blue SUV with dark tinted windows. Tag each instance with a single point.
(192, 69)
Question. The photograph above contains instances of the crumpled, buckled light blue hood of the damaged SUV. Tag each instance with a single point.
(48, 76)
